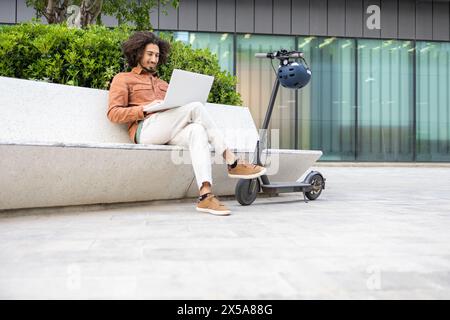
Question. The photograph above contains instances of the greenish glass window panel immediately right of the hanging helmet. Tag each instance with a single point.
(326, 106)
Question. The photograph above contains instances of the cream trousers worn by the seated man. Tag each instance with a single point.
(189, 126)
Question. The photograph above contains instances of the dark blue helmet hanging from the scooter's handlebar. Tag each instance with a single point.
(294, 75)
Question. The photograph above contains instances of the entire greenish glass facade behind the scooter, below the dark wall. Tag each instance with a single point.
(368, 99)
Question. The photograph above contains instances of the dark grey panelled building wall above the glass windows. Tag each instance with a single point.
(400, 19)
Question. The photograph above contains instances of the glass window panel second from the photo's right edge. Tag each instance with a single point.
(385, 98)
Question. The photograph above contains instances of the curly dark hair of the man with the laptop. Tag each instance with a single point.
(133, 48)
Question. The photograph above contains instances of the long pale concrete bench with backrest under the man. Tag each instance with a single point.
(58, 148)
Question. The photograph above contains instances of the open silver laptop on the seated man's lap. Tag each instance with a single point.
(184, 87)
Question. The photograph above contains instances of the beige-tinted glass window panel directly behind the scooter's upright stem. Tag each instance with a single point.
(255, 82)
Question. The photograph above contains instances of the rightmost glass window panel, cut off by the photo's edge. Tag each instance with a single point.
(432, 101)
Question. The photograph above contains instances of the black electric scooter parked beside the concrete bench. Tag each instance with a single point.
(247, 189)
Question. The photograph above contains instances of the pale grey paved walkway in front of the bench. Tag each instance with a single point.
(375, 233)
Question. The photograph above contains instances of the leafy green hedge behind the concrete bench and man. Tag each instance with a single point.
(91, 57)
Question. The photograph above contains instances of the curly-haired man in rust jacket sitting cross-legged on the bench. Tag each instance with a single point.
(190, 125)
